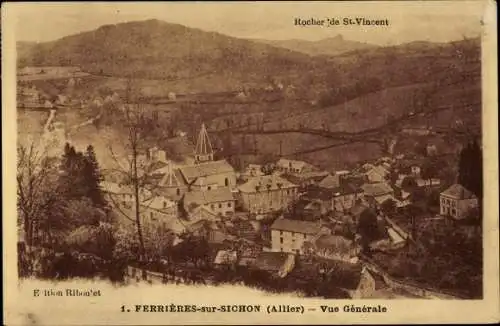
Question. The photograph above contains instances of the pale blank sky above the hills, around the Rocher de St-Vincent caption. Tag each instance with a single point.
(437, 21)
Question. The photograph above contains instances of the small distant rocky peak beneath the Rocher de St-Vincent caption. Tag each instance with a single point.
(328, 46)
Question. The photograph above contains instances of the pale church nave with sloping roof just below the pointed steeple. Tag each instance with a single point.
(209, 175)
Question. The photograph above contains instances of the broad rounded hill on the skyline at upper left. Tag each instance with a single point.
(155, 49)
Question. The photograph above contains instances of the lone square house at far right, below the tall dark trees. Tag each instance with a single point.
(457, 202)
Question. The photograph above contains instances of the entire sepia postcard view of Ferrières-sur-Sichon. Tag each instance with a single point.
(323, 151)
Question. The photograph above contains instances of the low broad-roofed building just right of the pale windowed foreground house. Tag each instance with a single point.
(334, 247)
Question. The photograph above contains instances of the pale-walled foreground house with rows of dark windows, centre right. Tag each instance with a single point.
(289, 235)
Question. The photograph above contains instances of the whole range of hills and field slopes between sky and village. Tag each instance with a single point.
(352, 92)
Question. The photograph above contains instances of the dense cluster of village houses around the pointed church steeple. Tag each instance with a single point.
(290, 217)
